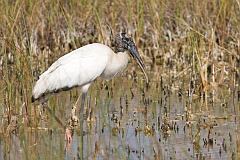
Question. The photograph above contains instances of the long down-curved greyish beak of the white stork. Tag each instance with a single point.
(135, 54)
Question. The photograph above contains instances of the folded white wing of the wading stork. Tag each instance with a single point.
(79, 67)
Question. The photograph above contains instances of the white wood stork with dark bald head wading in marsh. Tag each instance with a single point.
(84, 65)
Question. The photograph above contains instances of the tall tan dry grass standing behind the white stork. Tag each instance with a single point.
(192, 45)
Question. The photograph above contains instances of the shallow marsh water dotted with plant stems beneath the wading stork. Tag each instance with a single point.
(129, 120)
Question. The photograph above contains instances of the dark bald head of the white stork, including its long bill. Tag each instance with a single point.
(123, 43)
